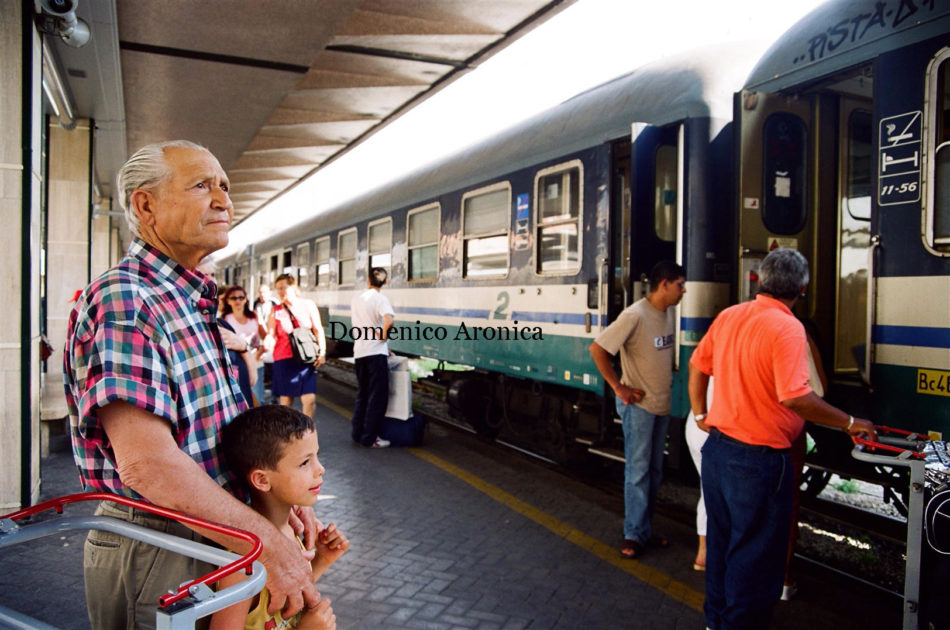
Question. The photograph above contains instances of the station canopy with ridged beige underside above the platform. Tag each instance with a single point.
(273, 89)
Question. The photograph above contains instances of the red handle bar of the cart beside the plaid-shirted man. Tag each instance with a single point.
(245, 562)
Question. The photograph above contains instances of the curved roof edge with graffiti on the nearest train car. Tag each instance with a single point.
(844, 33)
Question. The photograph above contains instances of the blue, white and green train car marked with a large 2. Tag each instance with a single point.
(514, 254)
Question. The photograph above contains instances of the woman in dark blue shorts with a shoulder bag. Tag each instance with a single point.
(291, 378)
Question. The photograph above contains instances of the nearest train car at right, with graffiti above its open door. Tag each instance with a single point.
(844, 154)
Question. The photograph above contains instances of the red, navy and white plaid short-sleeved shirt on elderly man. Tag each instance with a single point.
(145, 333)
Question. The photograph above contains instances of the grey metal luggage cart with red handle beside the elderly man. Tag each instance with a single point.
(178, 609)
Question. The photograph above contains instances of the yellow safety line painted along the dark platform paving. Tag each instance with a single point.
(674, 589)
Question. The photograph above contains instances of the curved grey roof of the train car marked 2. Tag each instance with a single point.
(700, 84)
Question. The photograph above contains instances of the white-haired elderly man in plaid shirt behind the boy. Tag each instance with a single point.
(149, 387)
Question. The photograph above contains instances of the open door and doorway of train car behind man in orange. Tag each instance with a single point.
(805, 182)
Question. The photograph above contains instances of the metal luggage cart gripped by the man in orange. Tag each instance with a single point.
(916, 452)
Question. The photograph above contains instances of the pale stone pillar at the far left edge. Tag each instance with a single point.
(20, 195)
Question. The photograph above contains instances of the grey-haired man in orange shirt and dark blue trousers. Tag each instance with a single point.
(758, 354)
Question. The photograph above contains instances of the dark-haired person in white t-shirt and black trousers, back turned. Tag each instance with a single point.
(371, 317)
